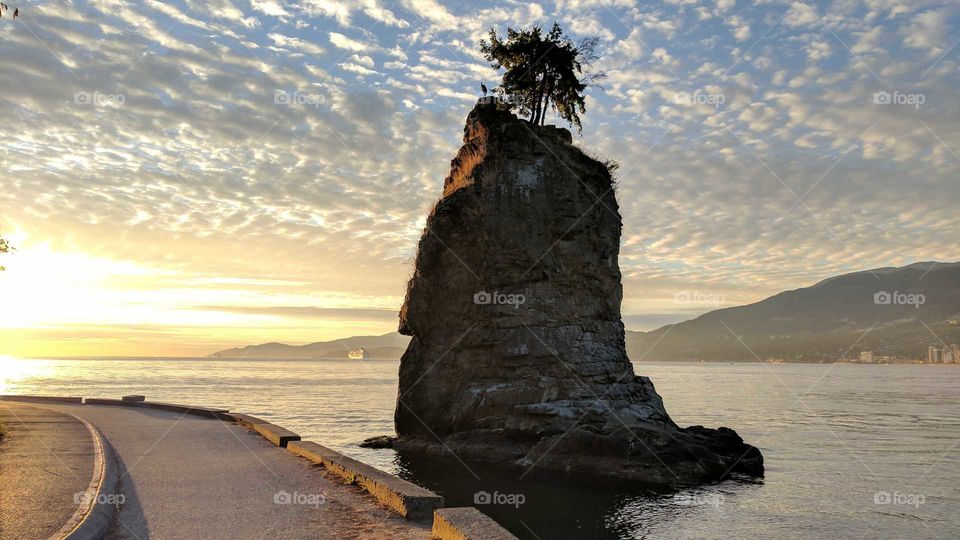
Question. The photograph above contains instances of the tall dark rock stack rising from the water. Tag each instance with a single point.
(517, 351)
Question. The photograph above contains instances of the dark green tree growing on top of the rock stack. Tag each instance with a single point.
(542, 71)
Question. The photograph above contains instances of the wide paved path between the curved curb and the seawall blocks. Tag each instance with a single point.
(188, 477)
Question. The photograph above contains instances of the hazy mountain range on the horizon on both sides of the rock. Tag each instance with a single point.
(896, 312)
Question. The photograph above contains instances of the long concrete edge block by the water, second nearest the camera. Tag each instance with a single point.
(406, 498)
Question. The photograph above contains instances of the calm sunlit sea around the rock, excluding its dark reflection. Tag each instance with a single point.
(852, 451)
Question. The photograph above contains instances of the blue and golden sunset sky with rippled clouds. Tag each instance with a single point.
(183, 177)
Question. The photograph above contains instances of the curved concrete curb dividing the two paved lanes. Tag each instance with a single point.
(92, 519)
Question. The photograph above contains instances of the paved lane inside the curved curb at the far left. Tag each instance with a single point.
(46, 458)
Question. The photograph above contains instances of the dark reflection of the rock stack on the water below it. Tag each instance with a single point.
(543, 505)
